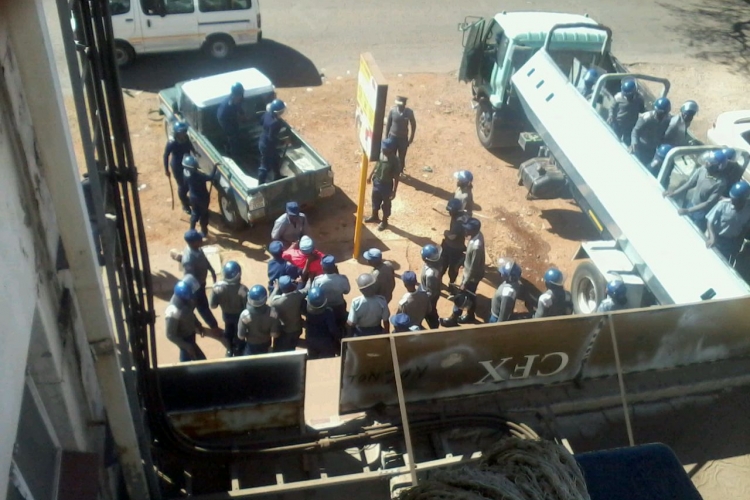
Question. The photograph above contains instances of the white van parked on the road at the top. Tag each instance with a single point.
(150, 26)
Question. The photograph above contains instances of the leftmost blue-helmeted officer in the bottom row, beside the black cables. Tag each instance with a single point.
(182, 324)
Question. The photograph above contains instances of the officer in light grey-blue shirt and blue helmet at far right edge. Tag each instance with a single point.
(729, 221)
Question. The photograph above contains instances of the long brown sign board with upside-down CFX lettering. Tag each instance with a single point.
(487, 358)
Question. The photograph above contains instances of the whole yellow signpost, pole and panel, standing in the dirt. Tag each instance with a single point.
(372, 91)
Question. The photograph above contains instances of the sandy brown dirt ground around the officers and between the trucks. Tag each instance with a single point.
(537, 234)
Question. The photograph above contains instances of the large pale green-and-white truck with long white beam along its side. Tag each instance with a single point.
(524, 68)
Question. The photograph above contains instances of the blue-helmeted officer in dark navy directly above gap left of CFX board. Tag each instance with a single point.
(322, 336)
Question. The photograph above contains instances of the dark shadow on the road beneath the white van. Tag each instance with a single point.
(285, 66)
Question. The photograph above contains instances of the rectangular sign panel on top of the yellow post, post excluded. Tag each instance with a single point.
(372, 91)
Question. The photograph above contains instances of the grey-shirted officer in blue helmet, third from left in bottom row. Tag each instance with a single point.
(257, 325)
